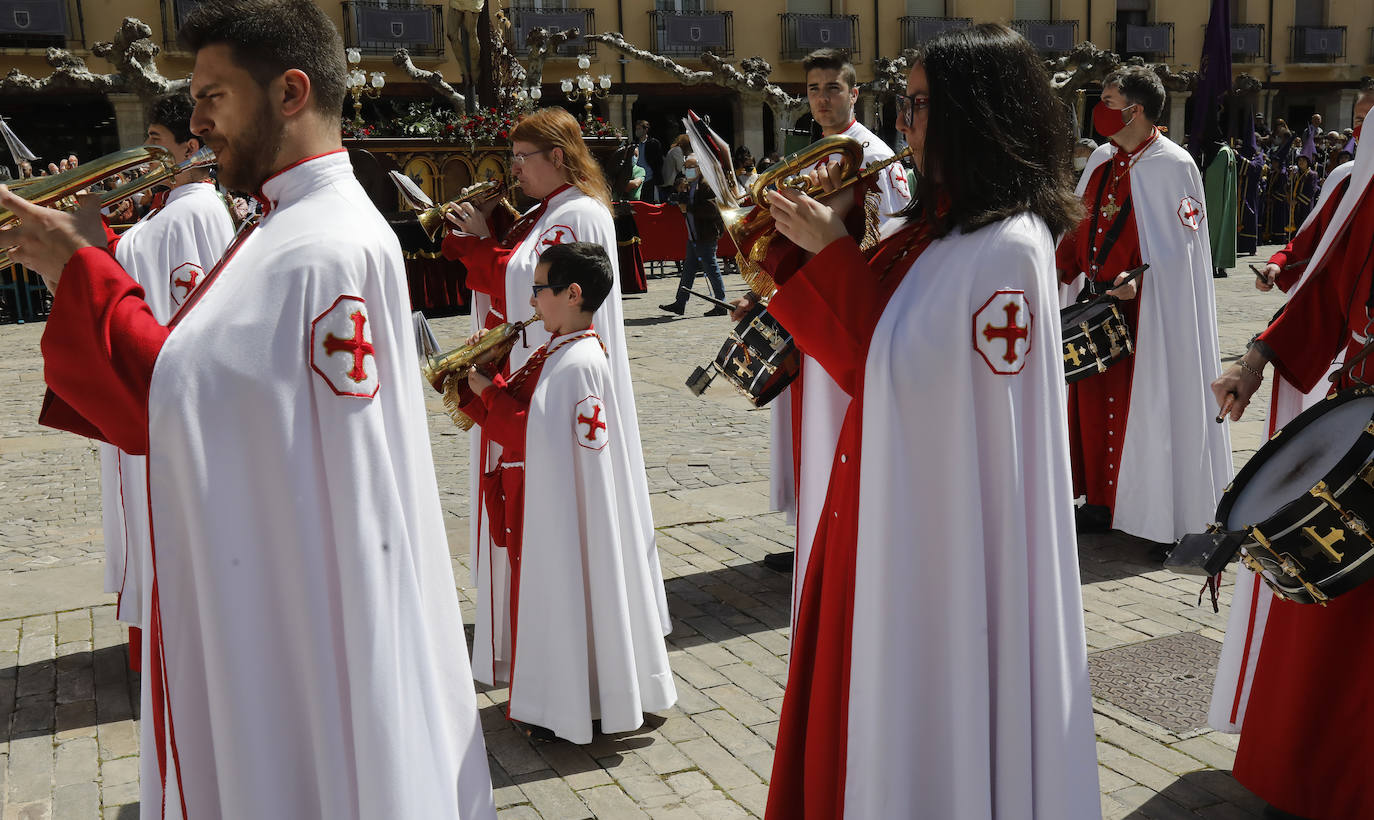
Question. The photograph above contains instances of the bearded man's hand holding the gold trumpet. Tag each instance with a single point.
(45, 240)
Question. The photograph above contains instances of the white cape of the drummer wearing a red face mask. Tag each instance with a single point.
(1175, 459)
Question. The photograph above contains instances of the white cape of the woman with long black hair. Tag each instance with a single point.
(967, 590)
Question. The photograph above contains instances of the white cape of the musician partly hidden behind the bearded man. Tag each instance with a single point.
(177, 244)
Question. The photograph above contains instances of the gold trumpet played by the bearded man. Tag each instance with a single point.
(60, 190)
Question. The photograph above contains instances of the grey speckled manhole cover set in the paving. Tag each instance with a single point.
(1167, 681)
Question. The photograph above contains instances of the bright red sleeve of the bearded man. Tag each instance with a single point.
(100, 347)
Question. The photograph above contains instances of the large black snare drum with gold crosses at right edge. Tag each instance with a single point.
(1305, 502)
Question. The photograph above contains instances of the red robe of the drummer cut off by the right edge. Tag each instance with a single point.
(1306, 742)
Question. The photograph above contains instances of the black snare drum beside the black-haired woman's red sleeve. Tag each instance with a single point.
(759, 359)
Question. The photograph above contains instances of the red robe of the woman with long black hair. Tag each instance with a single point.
(832, 307)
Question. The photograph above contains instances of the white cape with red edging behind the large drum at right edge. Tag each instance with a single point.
(1252, 600)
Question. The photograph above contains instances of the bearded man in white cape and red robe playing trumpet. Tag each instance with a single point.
(307, 654)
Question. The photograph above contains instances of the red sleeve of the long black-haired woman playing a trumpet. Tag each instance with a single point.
(831, 306)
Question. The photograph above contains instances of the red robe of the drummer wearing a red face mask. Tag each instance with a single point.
(1099, 406)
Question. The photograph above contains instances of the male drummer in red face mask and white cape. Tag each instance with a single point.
(1145, 450)
